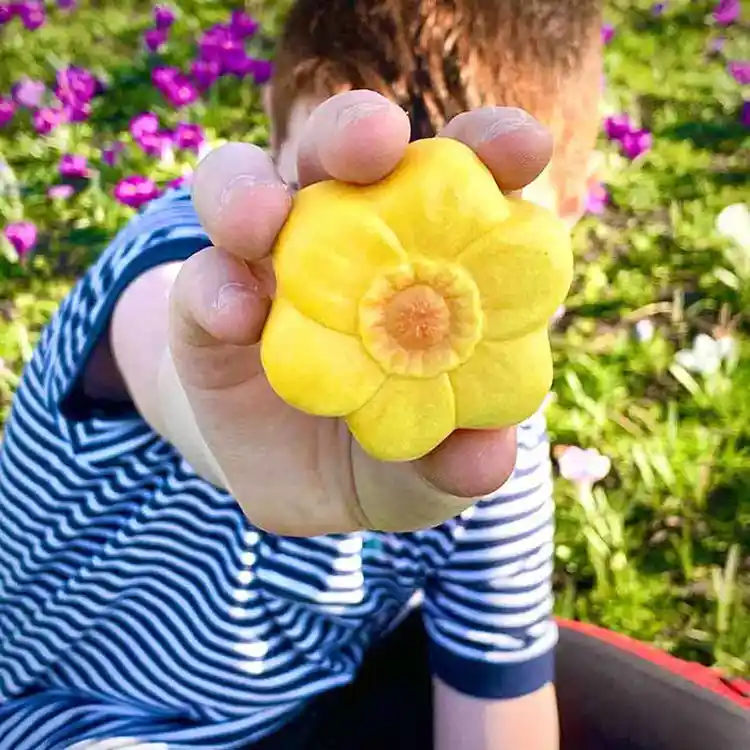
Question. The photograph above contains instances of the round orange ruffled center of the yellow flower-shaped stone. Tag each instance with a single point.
(421, 320)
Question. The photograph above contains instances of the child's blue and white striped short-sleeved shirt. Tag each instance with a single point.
(136, 600)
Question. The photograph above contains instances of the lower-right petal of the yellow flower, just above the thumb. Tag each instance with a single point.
(504, 382)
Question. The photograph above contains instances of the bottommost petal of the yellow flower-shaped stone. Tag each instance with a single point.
(405, 419)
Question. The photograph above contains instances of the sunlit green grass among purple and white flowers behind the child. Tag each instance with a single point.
(661, 548)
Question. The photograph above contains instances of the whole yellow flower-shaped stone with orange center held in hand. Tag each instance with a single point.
(417, 305)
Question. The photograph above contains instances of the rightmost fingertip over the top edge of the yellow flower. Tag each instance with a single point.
(514, 146)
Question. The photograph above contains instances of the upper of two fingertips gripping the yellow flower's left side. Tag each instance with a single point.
(240, 199)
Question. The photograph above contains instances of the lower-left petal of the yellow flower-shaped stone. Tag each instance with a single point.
(314, 369)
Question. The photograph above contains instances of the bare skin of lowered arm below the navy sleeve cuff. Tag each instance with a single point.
(466, 723)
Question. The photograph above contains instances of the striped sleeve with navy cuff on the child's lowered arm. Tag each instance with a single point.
(488, 608)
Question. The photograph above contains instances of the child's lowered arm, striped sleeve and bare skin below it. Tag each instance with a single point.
(488, 612)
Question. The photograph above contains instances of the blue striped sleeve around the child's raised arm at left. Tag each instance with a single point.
(168, 230)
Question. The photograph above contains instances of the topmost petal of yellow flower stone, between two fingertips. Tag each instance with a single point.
(439, 199)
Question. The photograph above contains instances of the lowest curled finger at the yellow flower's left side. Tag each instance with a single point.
(219, 306)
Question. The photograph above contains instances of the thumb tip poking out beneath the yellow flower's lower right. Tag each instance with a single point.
(471, 463)
